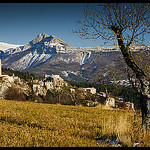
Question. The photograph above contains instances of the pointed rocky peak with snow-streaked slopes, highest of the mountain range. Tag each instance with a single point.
(39, 50)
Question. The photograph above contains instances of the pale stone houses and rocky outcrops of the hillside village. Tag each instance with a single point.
(52, 82)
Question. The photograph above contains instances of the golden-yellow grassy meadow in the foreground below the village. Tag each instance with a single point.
(29, 124)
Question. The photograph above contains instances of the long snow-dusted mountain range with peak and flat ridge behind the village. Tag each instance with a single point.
(47, 54)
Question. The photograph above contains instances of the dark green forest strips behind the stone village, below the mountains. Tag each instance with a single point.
(127, 93)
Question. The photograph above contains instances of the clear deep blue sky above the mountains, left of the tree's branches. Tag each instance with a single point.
(21, 22)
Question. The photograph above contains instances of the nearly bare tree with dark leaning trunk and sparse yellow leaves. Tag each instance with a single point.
(127, 23)
